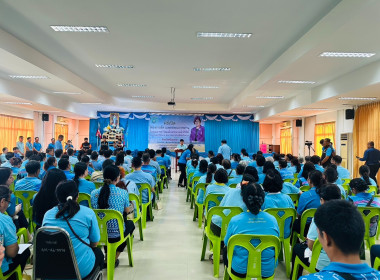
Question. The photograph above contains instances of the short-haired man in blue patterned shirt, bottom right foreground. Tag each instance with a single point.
(341, 231)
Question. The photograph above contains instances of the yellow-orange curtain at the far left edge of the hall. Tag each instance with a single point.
(11, 128)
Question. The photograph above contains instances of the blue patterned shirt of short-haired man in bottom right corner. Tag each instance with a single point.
(358, 271)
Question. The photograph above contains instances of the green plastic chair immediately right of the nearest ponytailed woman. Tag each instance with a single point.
(281, 215)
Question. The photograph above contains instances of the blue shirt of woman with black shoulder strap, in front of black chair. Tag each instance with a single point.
(86, 226)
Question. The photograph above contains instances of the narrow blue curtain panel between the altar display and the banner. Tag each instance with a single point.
(137, 134)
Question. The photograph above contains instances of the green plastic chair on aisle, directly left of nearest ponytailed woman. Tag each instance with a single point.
(216, 240)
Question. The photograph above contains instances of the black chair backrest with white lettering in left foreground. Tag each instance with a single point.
(52, 246)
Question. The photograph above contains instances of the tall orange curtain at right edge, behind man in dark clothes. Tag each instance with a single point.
(366, 128)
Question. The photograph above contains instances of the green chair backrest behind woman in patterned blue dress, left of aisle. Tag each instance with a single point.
(105, 215)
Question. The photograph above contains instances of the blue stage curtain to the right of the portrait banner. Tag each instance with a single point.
(240, 134)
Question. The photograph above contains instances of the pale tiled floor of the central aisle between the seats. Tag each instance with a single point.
(172, 245)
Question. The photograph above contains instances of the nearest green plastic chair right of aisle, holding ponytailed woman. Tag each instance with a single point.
(254, 254)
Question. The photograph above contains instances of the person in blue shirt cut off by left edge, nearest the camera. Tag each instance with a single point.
(8, 231)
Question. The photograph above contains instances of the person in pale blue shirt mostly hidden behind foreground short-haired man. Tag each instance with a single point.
(327, 193)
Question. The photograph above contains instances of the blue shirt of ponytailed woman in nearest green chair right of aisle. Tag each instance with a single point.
(248, 223)
